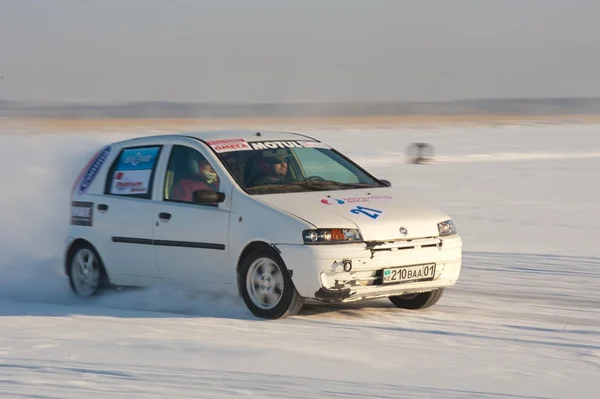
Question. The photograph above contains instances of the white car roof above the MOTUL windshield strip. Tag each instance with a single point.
(214, 135)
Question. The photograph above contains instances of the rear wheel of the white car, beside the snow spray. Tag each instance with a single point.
(86, 272)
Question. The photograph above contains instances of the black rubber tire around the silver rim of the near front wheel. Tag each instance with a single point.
(290, 302)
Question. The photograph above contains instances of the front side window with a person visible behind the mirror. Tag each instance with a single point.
(188, 170)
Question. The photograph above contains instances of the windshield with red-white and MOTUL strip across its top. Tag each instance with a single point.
(291, 166)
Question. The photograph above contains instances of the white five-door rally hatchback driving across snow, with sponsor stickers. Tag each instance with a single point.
(274, 217)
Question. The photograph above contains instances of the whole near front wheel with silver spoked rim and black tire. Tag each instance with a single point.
(267, 287)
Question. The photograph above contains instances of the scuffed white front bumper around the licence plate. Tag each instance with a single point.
(318, 270)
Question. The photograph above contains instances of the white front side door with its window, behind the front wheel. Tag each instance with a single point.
(191, 240)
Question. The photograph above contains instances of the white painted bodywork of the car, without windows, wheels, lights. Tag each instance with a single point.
(174, 250)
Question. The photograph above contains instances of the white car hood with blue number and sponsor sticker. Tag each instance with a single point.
(379, 213)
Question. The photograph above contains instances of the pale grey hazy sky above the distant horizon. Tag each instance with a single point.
(297, 50)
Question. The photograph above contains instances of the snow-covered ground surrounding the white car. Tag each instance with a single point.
(523, 320)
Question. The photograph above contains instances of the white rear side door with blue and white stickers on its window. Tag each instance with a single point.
(124, 214)
